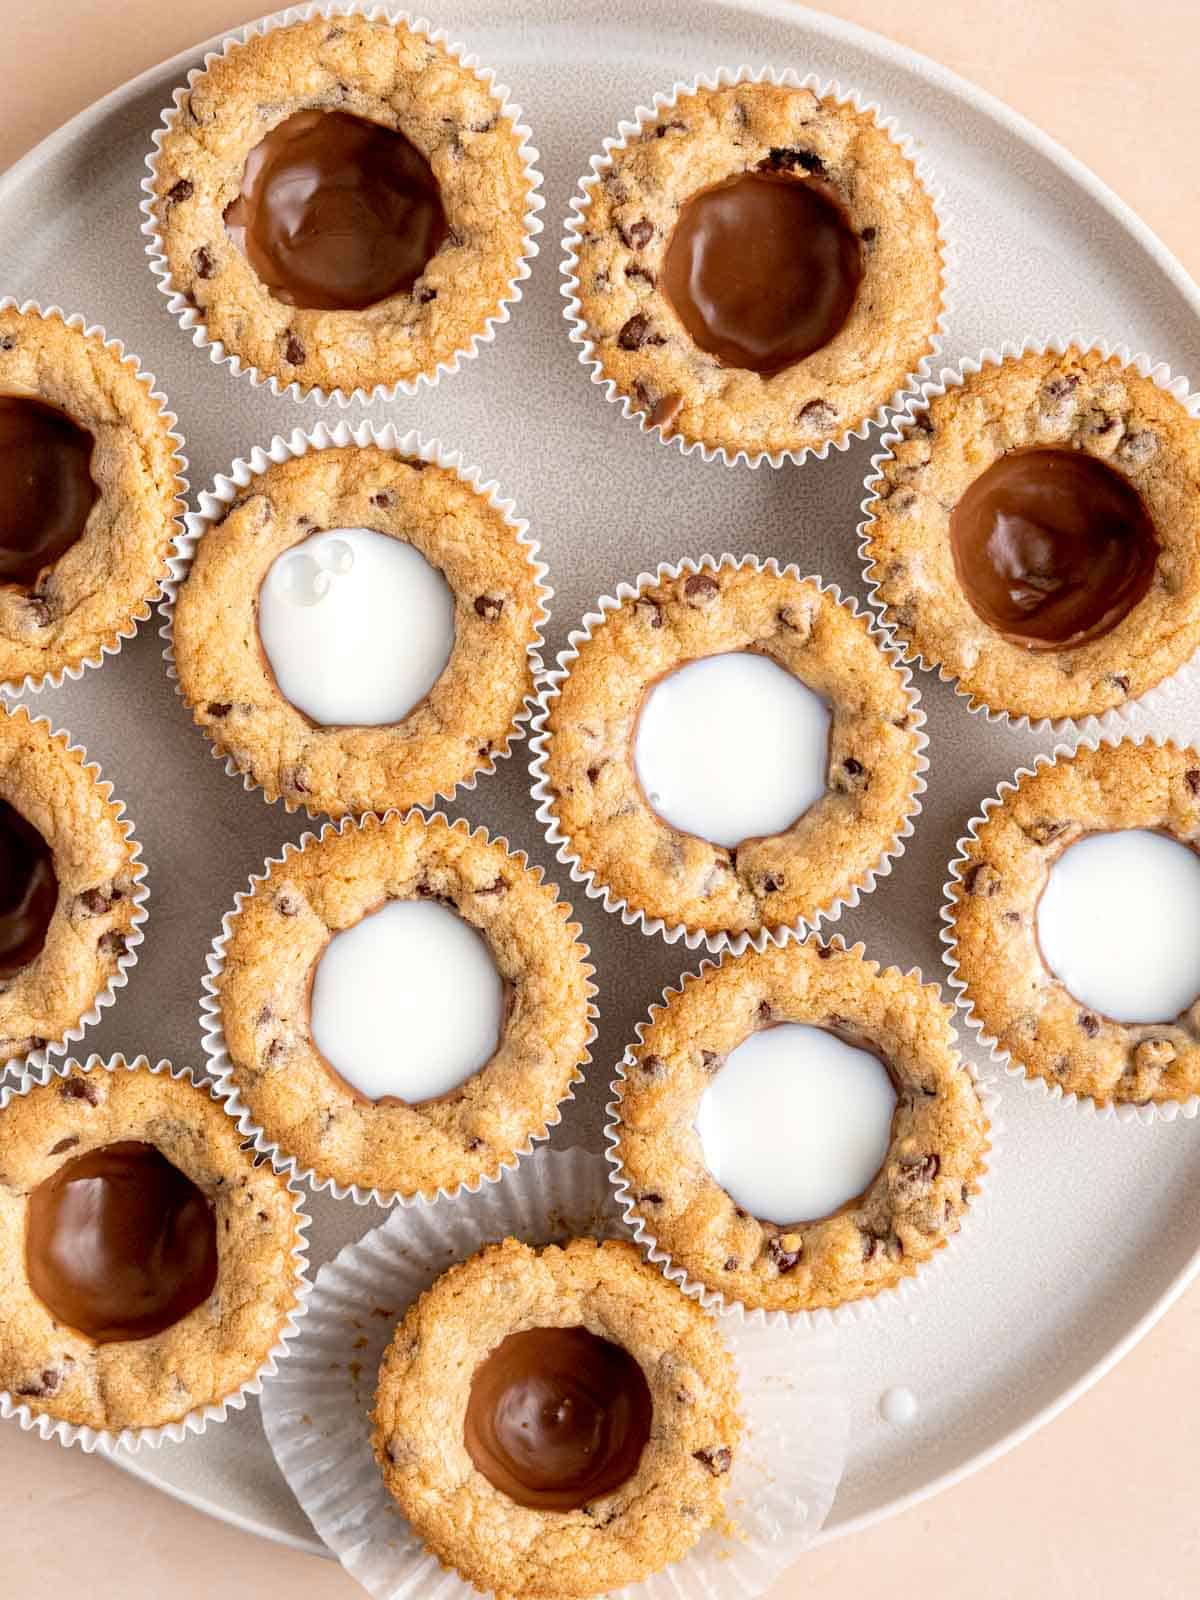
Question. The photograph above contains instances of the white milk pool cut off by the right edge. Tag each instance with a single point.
(1119, 924)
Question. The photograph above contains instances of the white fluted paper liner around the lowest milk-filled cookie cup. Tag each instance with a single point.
(898, 1297)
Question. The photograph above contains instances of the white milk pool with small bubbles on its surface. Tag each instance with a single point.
(358, 626)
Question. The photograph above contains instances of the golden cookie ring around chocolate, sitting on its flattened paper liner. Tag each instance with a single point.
(644, 1524)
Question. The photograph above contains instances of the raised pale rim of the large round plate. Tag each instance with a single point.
(983, 103)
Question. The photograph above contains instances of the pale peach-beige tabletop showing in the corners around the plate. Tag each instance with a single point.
(1102, 1505)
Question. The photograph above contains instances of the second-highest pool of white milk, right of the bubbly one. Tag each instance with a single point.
(732, 748)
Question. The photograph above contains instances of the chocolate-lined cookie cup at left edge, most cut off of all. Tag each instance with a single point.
(74, 892)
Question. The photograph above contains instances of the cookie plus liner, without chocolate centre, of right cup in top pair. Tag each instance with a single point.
(822, 402)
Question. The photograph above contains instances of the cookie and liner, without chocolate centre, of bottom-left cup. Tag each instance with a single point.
(58, 1114)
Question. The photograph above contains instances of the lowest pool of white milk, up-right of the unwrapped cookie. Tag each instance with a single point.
(796, 1122)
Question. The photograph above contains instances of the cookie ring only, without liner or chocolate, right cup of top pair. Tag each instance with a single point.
(630, 220)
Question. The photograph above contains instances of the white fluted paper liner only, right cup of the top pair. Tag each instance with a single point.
(604, 162)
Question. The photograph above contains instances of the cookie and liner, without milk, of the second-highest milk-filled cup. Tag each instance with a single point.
(798, 879)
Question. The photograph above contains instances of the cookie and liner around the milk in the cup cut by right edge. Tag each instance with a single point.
(1022, 1014)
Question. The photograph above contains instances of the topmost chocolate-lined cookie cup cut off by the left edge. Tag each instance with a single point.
(92, 484)
